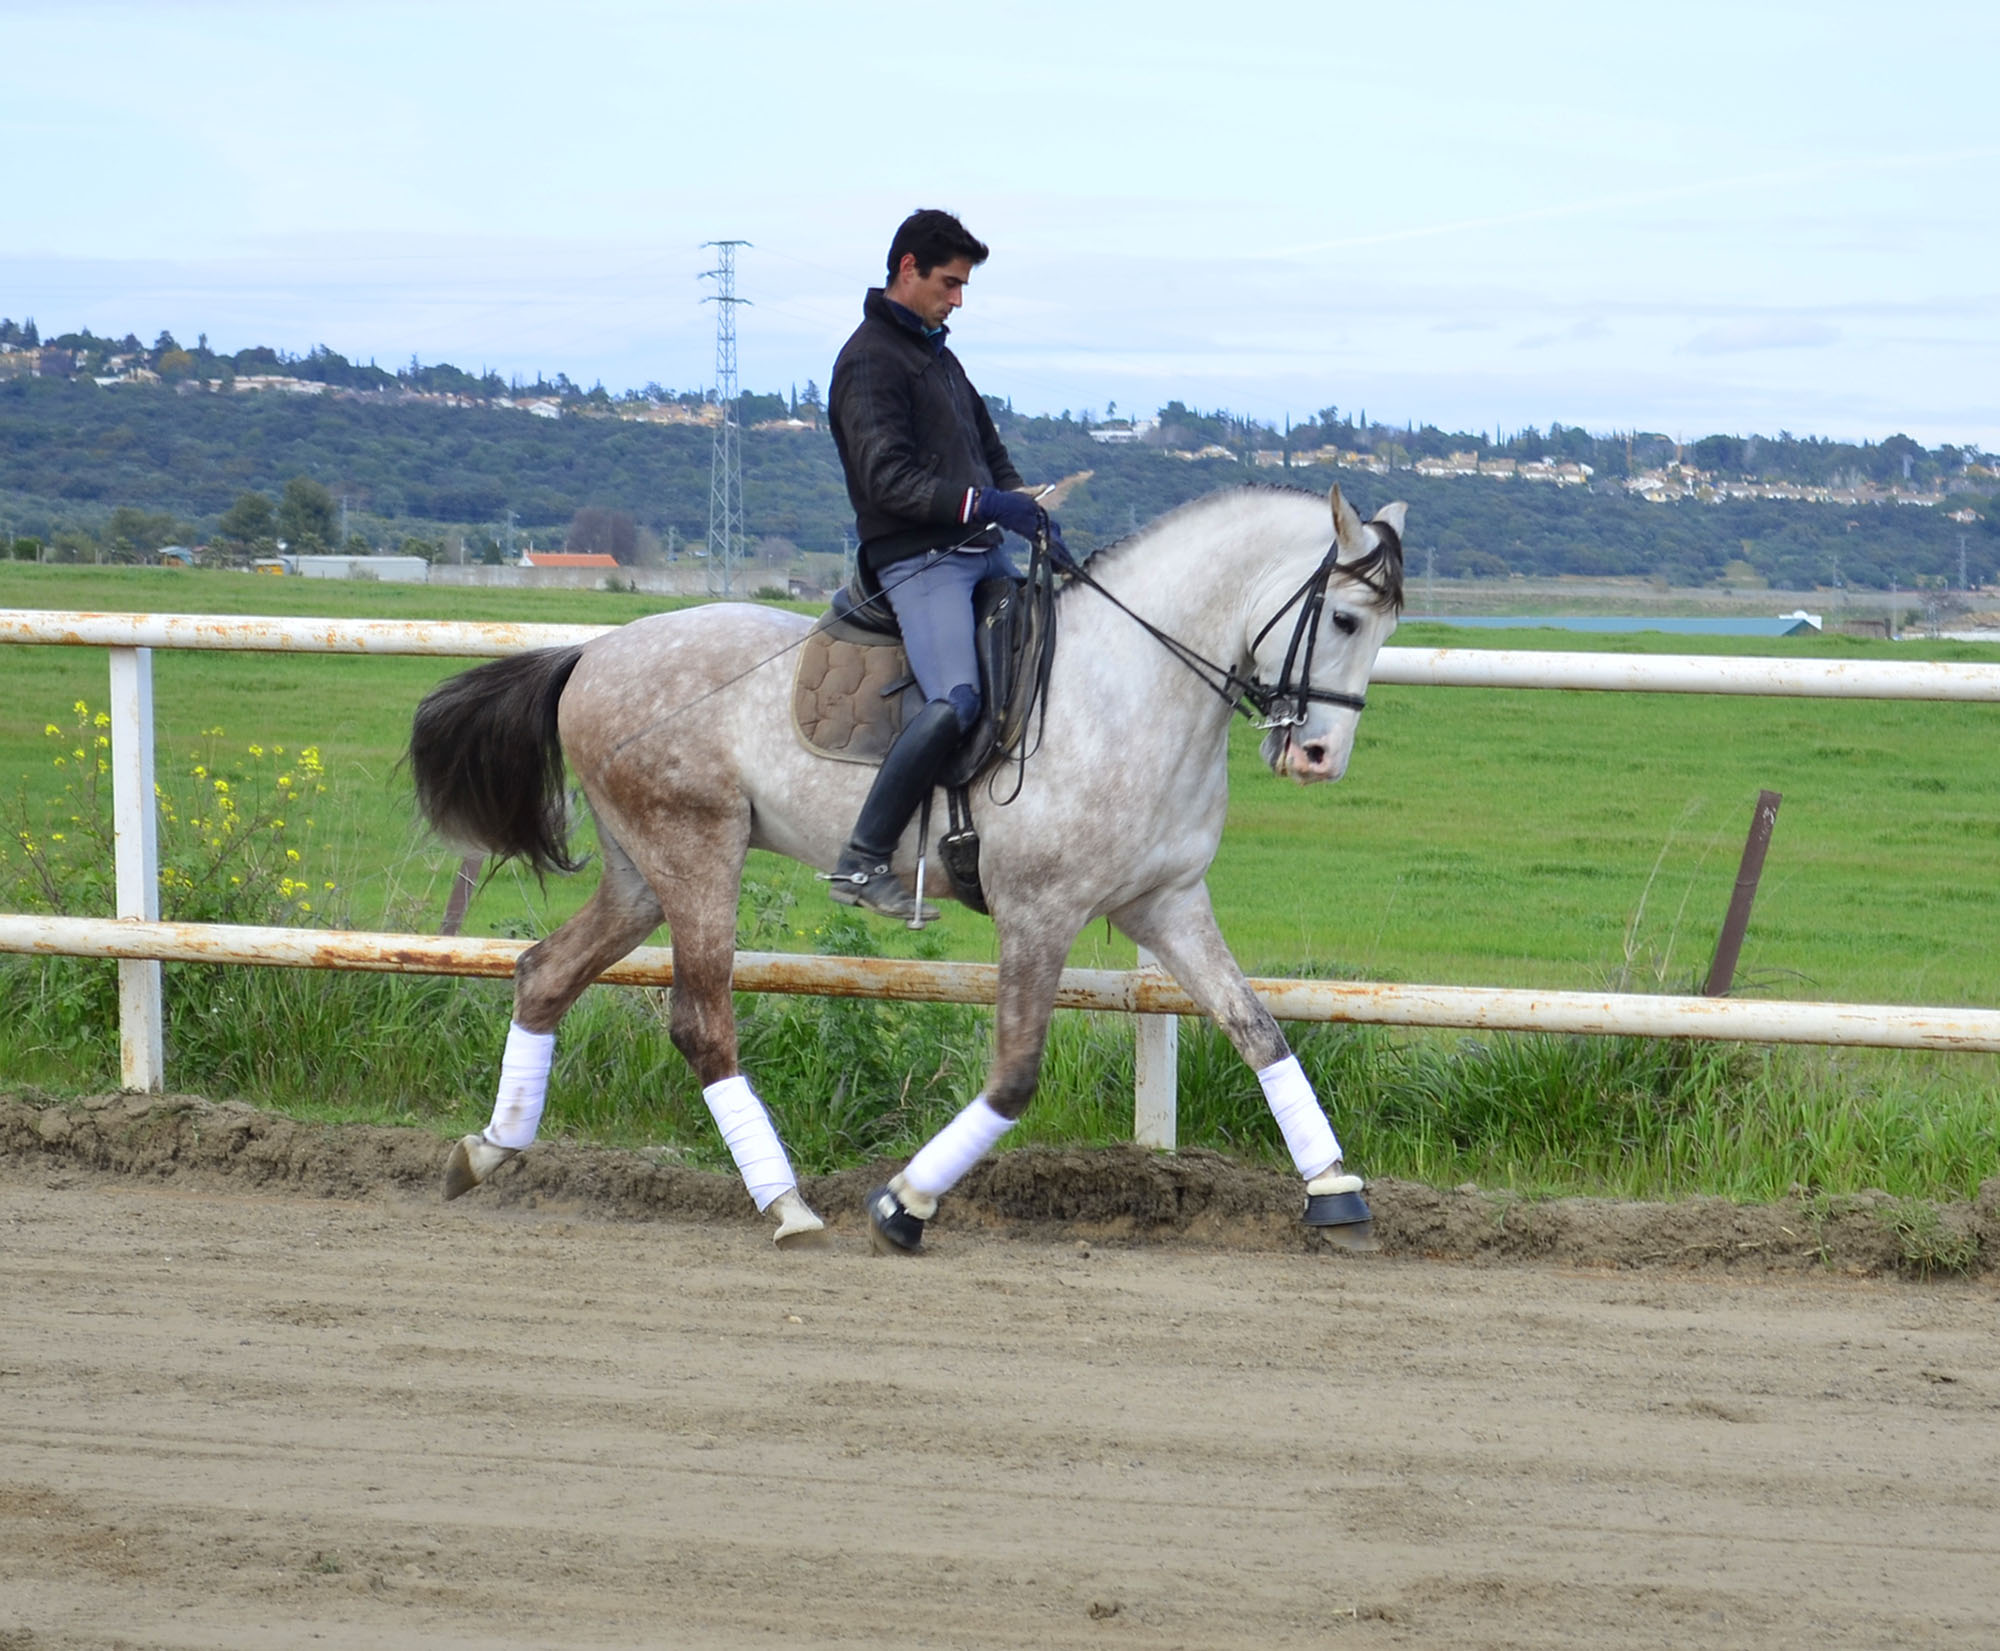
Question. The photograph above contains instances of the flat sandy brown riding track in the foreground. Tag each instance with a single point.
(257, 1416)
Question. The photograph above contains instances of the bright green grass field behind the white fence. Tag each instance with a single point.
(1489, 838)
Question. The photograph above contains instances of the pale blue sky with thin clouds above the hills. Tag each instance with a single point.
(1695, 219)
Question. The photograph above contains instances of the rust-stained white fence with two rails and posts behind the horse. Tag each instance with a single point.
(141, 942)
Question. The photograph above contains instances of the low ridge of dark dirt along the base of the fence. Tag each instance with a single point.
(1107, 1194)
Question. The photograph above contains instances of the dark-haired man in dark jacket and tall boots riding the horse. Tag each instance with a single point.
(931, 487)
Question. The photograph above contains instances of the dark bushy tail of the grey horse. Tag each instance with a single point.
(487, 759)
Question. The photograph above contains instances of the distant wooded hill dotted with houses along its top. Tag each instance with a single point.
(451, 461)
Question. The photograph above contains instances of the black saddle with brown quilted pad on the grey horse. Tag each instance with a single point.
(853, 691)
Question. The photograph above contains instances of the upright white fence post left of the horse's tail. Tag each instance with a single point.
(137, 836)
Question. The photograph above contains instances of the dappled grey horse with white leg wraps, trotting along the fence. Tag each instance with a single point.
(679, 729)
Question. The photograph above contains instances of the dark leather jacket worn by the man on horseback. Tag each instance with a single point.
(913, 437)
